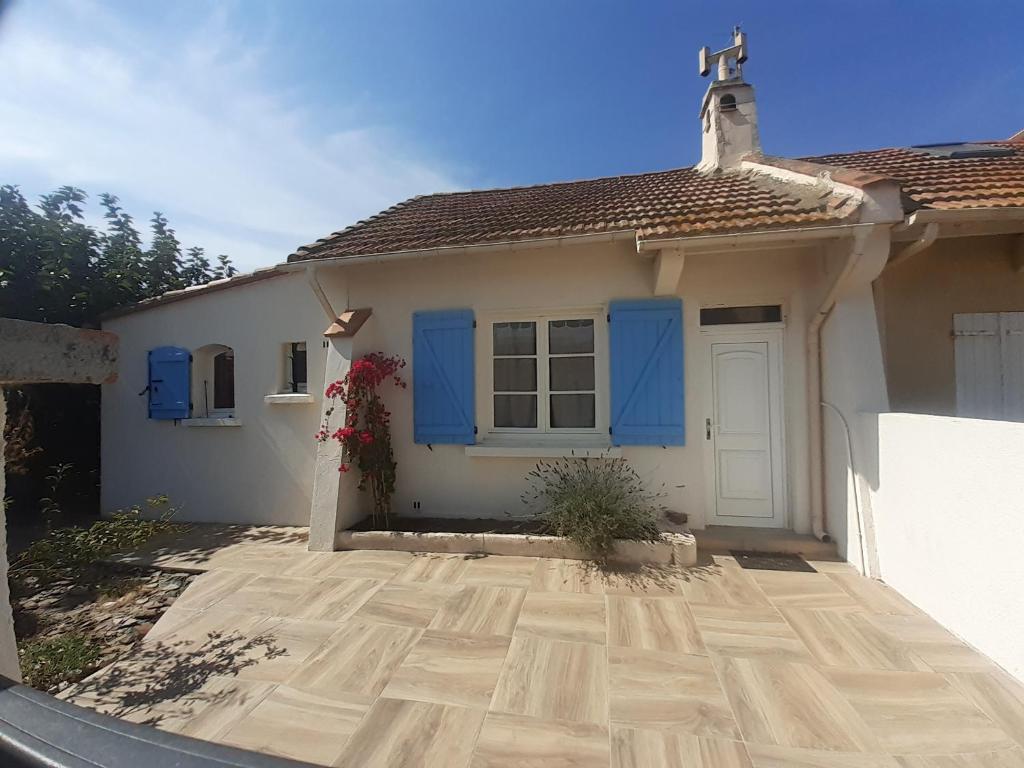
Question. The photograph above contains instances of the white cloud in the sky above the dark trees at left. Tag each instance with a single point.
(190, 125)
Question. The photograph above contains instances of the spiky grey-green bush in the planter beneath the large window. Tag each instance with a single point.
(592, 502)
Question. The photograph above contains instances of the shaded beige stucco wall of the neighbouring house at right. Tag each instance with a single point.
(917, 302)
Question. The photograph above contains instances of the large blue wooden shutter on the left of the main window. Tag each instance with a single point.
(444, 403)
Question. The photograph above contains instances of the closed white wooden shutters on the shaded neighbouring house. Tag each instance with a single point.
(990, 356)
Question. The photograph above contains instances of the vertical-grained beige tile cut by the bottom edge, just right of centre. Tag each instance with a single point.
(633, 748)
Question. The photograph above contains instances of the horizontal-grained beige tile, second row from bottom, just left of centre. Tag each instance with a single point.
(450, 669)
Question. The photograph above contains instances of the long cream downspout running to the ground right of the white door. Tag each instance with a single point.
(815, 385)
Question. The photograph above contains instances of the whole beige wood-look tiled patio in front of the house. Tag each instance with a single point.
(386, 659)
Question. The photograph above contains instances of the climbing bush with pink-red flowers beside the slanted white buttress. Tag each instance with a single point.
(366, 439)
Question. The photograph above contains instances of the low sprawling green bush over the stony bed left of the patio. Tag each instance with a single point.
(65, 550)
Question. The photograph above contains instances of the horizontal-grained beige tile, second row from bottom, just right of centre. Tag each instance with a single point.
(667, 692)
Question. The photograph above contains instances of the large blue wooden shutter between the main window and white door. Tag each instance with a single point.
(647, 342)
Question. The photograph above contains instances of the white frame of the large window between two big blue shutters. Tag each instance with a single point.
(543, 433)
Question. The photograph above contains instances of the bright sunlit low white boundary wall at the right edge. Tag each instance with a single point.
(948, 500)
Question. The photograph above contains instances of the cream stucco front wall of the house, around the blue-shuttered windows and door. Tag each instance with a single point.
(263, 473)
